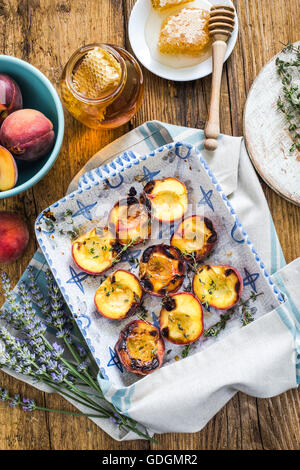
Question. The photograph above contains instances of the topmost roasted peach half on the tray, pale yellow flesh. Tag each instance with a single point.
(167, 198)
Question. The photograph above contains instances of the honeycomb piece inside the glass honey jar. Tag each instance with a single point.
(97, 73)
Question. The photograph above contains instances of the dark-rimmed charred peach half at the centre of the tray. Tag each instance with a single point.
(161, 270)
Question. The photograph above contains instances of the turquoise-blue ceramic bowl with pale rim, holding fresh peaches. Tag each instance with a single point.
(38, 93)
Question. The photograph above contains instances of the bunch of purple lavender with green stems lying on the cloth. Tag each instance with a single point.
(24, 348)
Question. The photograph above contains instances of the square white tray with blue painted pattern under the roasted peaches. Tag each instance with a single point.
(89, 206)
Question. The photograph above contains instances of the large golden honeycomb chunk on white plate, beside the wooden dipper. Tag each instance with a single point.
(185, 33)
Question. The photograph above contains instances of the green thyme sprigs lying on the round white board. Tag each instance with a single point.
(289, 101)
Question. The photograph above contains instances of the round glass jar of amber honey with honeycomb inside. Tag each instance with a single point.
(102, 86)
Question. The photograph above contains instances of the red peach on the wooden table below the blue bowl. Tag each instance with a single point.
(14, 237)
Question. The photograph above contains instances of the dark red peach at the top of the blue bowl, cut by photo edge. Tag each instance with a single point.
(10, 96)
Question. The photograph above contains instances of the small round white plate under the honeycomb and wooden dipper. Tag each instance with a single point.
(137, 25)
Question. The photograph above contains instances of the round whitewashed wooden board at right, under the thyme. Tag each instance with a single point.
(267, 137)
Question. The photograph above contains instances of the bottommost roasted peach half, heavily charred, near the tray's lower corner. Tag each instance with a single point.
(140, 347)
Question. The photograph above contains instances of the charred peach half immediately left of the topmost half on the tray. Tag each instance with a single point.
(130, 221)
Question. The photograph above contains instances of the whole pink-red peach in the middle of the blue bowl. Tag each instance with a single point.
(27, 134)
